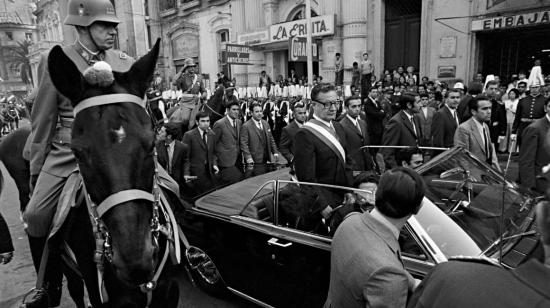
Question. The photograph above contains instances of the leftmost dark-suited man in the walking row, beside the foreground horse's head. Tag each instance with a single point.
(171, 153)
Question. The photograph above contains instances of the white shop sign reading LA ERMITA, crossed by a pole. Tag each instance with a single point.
(320, 25)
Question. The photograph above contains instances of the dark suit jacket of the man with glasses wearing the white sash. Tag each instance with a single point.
(315, 162)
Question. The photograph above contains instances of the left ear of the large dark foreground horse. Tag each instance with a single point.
(64, 74)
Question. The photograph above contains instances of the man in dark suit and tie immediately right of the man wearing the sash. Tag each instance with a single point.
(356, 136)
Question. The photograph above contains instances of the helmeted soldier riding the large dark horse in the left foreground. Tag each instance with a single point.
(48, 146)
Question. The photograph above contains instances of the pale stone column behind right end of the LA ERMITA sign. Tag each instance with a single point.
(332, 44)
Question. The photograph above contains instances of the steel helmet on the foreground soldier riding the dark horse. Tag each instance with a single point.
(86, 12)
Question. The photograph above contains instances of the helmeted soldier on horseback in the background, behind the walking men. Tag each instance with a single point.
(192, 86)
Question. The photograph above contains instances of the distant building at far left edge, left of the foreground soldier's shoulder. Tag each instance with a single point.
(17, 32)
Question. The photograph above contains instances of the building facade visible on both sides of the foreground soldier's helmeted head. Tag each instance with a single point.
(50, 31)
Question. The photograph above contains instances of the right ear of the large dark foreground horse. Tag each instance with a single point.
(141, 72)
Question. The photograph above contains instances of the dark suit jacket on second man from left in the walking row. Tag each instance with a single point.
(200, 157)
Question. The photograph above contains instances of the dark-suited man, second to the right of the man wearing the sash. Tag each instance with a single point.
(402, 130)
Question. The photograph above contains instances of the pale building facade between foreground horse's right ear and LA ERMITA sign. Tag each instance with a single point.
(190, 29)
